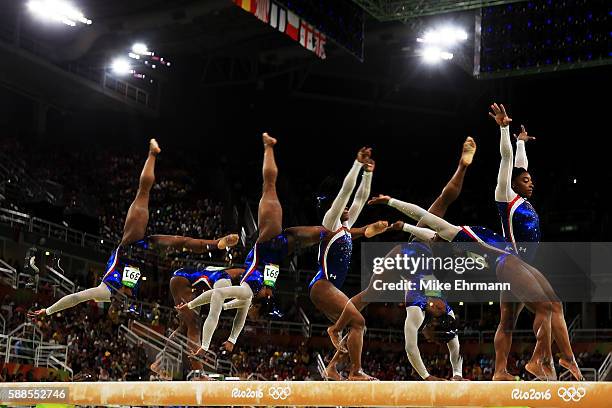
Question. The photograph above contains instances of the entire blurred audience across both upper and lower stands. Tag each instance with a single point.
(178, 205)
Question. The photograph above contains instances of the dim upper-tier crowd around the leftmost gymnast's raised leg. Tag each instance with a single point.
(101, 184)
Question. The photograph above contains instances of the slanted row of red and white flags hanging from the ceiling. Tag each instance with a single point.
(286, 21)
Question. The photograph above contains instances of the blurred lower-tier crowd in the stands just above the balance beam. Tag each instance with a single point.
(98, 351)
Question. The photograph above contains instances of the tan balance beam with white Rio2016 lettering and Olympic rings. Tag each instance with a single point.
(314, 393)
